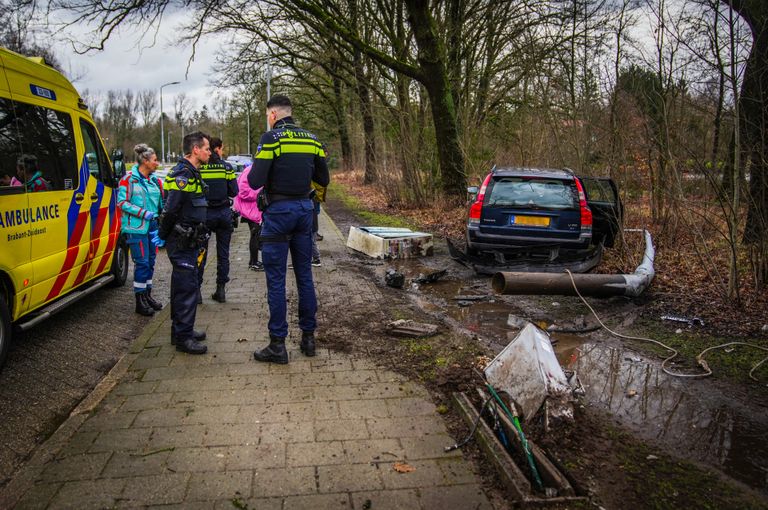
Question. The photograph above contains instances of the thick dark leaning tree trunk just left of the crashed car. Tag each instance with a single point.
(431, 57)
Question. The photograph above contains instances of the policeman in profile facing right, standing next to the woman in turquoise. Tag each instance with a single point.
(183, 230)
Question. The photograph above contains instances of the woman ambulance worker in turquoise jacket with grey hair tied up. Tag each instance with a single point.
(140, 198)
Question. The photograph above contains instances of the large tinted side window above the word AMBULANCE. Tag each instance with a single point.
(37, 144)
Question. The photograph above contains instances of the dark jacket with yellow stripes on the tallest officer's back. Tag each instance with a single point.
(289, 158)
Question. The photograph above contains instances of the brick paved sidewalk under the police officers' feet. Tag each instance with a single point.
(223, 431)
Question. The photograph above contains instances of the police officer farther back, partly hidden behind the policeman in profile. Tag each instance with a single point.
(222, 184)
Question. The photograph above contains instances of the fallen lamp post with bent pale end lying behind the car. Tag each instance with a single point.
(596, 285)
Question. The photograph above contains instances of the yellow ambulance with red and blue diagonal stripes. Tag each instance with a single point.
(59, 226)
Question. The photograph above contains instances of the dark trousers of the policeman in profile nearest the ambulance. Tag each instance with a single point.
(183, 257)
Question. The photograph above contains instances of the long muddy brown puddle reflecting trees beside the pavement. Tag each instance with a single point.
(689, 417)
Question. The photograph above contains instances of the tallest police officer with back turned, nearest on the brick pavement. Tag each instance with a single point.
(289, 158)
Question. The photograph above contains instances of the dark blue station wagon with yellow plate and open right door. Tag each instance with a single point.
(542, 219)
